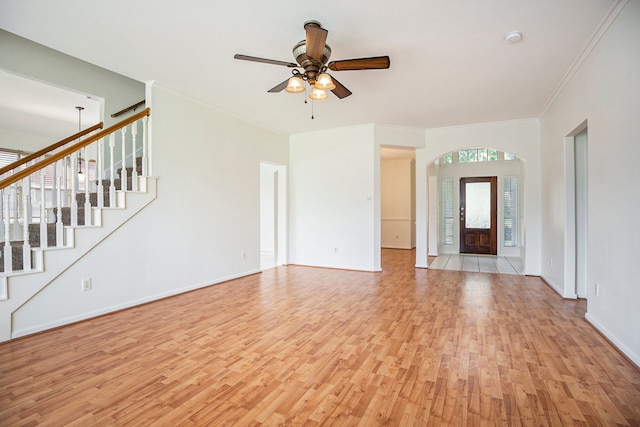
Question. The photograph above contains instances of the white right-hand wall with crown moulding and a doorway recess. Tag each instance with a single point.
(605, 91)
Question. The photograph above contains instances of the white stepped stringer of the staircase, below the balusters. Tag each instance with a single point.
(19, 289)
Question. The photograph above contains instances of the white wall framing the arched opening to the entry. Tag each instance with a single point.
(516, 137)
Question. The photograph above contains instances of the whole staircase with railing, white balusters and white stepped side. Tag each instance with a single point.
(71, 221)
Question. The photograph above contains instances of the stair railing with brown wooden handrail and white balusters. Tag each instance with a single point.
(55, 186)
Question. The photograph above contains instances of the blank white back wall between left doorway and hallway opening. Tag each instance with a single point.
(333, 198)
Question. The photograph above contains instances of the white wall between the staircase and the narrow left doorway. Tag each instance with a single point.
(206, 214)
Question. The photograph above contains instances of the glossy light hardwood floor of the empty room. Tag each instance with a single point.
(310, 346)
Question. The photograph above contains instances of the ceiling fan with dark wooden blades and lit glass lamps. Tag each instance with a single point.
(312, 55)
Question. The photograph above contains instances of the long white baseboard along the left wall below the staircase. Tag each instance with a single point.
(129, 304)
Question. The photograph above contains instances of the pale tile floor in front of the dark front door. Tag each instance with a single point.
(479, 263)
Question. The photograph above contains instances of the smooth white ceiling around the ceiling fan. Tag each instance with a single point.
(449, 62)
